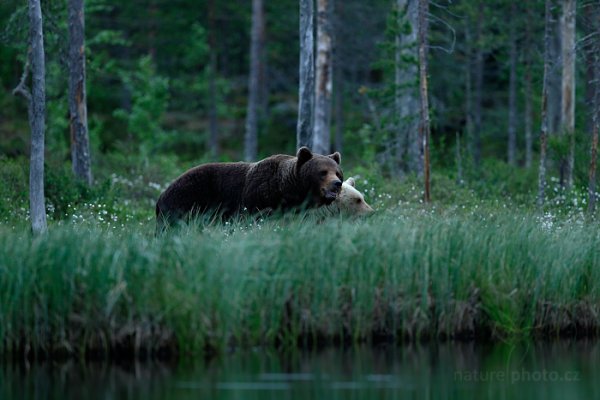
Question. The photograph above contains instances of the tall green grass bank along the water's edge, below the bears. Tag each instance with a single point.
(400, 275)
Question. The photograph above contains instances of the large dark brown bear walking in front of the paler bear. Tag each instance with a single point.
(277, 182)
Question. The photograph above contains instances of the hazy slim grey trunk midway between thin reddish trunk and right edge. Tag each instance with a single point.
(512, 91)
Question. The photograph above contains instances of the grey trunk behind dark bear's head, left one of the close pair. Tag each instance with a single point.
(306, 92)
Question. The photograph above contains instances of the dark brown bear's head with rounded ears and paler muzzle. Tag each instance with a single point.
(322, 175)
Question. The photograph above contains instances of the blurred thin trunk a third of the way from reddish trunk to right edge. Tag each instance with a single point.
(478, 85)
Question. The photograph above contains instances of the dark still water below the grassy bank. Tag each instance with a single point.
(451, 371)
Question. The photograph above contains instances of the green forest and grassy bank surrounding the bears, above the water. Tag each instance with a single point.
(470, 126)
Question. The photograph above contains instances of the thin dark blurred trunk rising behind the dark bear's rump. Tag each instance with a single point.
(213, 128)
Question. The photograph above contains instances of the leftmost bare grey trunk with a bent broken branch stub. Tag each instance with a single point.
(36, 110)
